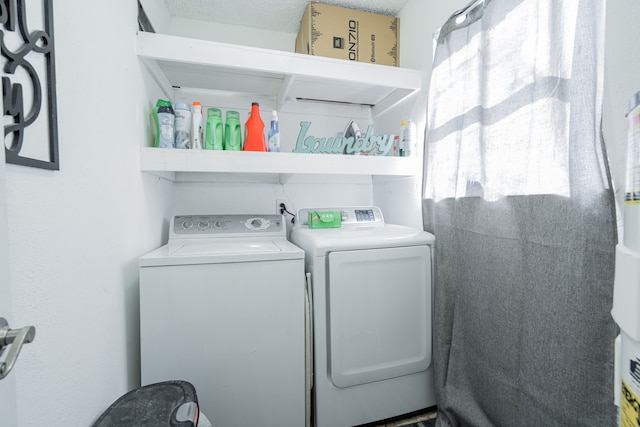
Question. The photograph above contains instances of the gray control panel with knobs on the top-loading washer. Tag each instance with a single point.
(221, 225)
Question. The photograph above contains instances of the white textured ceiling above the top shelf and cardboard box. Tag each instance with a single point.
(275, 15)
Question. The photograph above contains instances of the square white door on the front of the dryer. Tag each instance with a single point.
(379, 314)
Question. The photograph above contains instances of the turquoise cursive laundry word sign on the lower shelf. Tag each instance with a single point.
(376, 145)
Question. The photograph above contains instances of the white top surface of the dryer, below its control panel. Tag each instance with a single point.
(319, 242)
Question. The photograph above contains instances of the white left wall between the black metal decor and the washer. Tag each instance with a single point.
(75, 235)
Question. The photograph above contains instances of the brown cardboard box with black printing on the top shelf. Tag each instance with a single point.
(338, 32)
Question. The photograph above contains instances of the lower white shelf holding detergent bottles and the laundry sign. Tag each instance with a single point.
(167, 161)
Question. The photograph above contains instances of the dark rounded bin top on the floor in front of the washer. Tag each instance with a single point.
(154, 405)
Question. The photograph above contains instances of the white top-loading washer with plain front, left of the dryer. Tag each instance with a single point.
(222, 306)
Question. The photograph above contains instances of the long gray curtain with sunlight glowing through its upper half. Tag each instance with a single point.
(518, 195)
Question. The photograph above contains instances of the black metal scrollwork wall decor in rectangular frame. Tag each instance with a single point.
(32, 46)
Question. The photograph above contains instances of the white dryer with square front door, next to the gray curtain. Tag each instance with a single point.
(372, 298)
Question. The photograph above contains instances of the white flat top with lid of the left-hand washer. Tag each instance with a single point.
(214, 251)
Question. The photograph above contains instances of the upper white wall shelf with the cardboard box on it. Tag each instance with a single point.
(192, 63)
